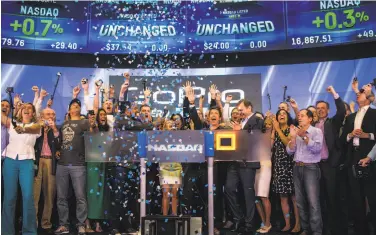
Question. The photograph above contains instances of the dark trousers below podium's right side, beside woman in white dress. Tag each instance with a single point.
(241, 173)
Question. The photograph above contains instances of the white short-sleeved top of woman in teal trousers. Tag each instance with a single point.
(21, 144)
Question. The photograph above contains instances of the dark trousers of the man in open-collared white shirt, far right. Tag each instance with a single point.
(361, 188)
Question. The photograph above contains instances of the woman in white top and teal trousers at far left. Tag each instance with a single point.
(19, 168)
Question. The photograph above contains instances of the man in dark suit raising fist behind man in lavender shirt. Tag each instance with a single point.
(330, 156)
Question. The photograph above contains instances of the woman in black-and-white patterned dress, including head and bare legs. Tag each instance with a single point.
(282, 182)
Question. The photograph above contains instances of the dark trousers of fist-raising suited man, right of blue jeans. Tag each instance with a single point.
(328, 197)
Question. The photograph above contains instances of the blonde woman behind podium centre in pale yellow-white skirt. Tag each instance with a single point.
(170, 179)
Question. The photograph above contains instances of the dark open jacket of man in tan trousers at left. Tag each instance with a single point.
(53, 142)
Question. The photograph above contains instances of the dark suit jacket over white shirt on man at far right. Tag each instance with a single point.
(365, 145)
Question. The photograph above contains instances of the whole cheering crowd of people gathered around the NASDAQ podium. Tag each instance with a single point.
(320, 168)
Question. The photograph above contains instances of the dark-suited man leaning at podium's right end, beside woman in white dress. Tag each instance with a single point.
(243, 172)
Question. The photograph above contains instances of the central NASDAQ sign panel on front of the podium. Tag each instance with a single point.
(175, 146)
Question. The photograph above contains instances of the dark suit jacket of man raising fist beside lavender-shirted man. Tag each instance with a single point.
(332, 128)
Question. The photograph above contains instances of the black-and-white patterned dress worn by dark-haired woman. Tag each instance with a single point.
(282, 179)
